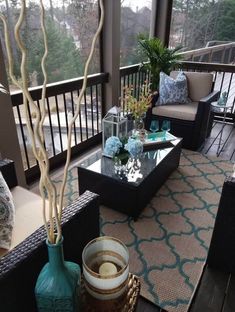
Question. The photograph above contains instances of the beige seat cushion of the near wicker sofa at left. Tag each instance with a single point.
(28, 214)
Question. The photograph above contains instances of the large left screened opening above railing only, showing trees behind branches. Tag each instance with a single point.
(70, 28)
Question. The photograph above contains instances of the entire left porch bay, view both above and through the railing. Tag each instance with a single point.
(71, 26)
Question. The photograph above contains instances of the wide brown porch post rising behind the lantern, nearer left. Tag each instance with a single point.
(110, 53)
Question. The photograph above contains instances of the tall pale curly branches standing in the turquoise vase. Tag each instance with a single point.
(37, 135)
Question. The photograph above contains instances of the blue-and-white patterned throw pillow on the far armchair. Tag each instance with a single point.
(173, 90)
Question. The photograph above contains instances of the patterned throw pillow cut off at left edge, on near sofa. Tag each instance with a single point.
(7, 214)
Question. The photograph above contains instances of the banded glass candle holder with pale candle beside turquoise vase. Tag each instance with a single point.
(105, 268)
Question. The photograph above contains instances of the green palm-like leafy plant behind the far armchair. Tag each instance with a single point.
(160, 58)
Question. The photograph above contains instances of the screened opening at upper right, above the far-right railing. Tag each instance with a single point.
(202, 23)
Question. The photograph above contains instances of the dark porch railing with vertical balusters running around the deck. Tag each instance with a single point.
(61, 101)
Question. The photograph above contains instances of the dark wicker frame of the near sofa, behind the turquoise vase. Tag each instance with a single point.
(20, 267)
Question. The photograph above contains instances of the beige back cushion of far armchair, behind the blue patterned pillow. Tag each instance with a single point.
(199, 84)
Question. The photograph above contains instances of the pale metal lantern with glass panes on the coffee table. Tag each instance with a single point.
(114, 124)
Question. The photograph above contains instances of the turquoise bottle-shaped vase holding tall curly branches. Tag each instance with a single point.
(58, 284)
